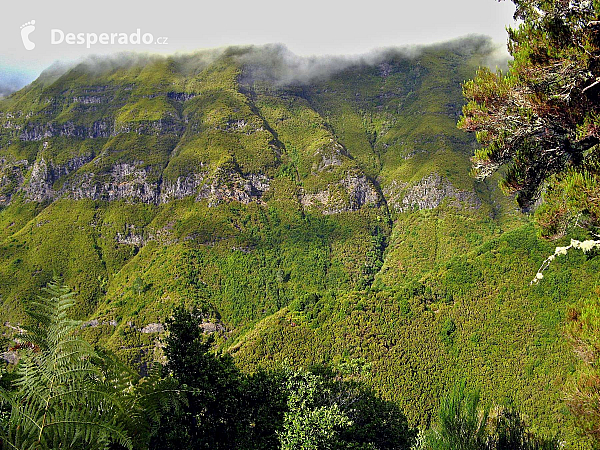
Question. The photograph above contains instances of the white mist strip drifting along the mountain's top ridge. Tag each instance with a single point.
(273, 63)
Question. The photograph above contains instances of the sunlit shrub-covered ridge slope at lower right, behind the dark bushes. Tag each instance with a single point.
(509, 336)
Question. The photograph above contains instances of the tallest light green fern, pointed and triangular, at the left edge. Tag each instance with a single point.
(61, 395)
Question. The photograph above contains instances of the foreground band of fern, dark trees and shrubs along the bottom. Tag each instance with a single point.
(65, 392)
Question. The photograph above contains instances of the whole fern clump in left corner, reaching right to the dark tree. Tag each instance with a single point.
(63, 392)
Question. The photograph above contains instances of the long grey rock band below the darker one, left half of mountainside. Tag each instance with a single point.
(130, 181)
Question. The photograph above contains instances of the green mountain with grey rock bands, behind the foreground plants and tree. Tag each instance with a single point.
(313, 209)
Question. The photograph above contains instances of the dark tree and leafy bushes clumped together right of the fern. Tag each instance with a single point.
(269, 409)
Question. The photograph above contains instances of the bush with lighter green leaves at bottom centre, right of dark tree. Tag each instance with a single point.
(332, 409)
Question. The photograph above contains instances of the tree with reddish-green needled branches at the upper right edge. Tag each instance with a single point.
(542, 118)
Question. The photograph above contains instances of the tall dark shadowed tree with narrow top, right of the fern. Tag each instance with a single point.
(211, 389)
